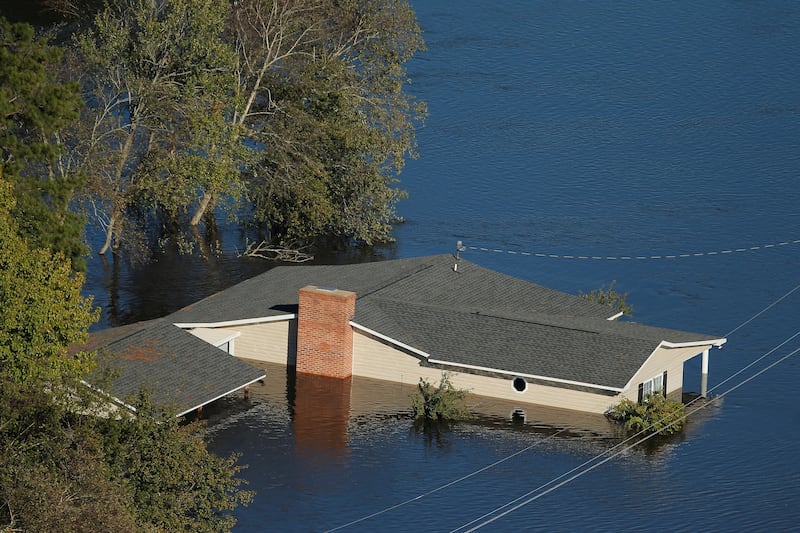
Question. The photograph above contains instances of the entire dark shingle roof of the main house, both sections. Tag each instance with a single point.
(472, 316)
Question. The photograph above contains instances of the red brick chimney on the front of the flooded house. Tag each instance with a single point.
(324, 333)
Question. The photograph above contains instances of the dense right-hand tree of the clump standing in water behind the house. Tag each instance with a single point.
(330, 115)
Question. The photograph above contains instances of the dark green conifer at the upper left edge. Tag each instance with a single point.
(35, 110)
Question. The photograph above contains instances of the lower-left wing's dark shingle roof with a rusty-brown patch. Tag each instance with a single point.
(177, 368)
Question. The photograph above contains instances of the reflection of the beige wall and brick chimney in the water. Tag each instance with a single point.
(332, 416)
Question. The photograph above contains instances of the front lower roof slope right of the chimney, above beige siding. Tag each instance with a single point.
(576, 349)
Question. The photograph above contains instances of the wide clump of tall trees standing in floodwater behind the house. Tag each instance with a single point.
(292, 114)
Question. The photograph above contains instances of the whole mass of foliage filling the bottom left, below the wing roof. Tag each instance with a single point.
(61, 470)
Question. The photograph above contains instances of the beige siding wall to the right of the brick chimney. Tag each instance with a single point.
(374, 358)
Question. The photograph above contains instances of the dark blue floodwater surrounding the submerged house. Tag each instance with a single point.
(564, 128)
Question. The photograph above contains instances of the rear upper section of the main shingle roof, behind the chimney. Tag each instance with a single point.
(426, 280)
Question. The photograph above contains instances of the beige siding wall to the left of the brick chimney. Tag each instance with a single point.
(272, 342)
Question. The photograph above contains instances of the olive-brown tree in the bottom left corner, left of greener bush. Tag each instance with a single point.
(52, 471)
